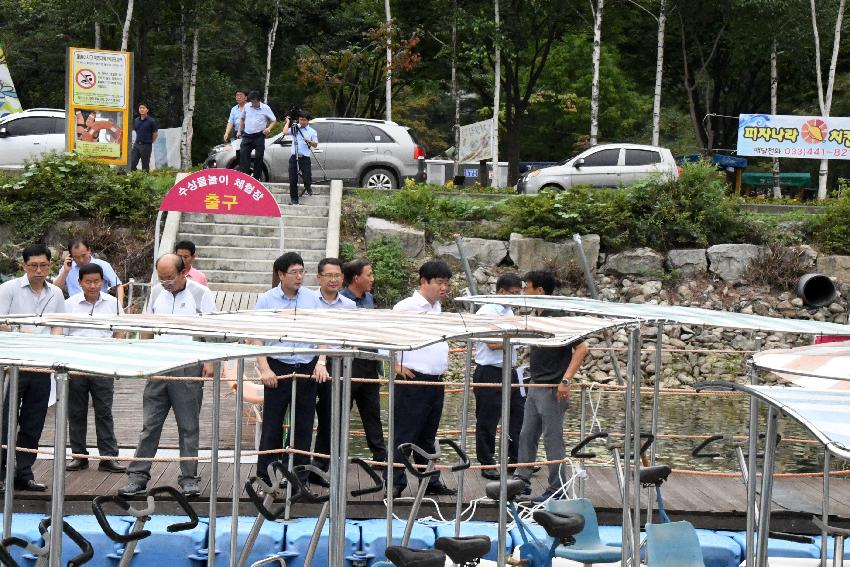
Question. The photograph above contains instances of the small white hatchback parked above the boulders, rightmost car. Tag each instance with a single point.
(605, 165)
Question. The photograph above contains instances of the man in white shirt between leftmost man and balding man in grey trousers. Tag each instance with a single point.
(90, 301)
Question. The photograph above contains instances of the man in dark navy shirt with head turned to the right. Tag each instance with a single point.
(359, 278)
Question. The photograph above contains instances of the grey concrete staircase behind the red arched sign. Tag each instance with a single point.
(236, 252)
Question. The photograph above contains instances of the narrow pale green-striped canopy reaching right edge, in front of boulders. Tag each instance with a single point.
(663, 314)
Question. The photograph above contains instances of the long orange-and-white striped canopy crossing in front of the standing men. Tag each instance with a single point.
(349, 328)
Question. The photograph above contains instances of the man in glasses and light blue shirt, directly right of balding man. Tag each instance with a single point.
(277, 392)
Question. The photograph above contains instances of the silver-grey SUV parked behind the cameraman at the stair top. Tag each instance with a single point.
(377, 154)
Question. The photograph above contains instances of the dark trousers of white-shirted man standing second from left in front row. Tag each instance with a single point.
(101, 391)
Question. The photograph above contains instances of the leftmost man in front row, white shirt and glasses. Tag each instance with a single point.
(31, 294)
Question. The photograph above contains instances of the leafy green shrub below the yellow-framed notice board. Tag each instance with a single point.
(65, 187)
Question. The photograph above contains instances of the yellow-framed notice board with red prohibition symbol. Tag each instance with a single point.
(98, 104)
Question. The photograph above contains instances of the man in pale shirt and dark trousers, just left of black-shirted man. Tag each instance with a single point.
(488, 401)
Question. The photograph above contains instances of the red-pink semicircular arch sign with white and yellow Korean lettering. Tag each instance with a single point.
(221, 192)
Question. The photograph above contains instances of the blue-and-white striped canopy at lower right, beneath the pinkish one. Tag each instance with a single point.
(825, 413)
